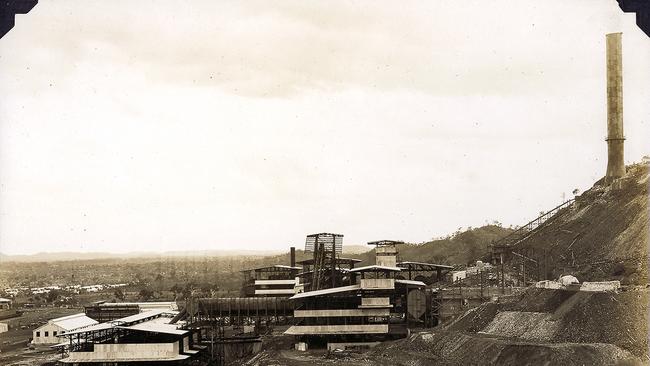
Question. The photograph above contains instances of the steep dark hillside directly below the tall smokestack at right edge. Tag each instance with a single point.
(603, 236)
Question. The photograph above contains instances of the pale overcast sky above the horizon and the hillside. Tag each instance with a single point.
(178, 125)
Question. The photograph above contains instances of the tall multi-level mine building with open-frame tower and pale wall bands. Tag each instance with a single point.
(358, 307)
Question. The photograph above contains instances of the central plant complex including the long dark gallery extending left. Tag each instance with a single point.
(324, 301)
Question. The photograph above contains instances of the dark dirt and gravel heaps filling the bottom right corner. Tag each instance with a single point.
(536, 327)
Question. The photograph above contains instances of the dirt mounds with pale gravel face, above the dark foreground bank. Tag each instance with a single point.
(565, 316)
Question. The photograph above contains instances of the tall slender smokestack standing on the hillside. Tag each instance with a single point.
(615, 137)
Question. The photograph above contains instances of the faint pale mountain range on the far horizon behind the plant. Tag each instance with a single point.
(69, 256)
